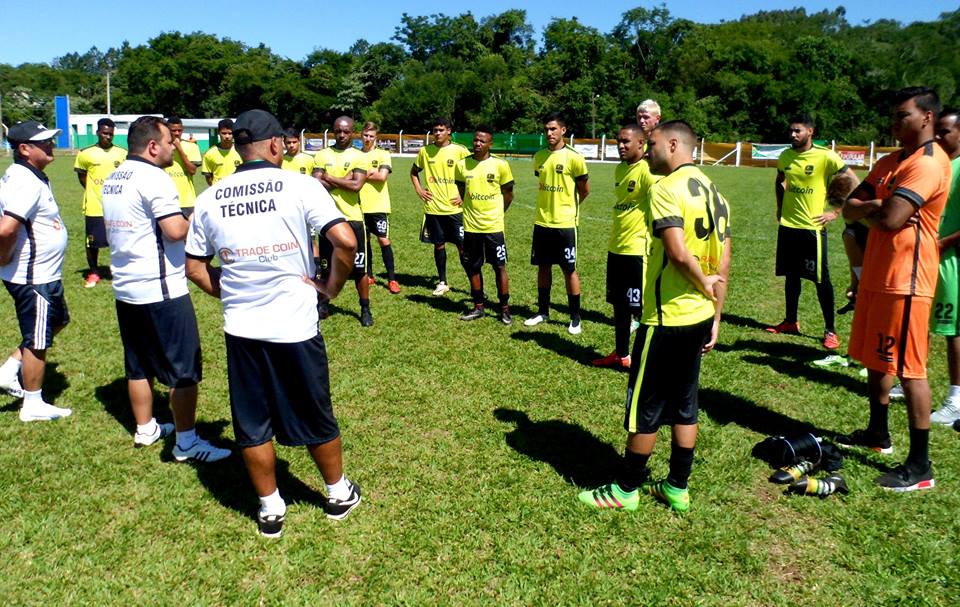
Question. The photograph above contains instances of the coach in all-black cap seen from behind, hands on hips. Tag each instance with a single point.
(256, 222)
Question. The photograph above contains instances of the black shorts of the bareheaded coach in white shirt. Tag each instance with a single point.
(161, 340)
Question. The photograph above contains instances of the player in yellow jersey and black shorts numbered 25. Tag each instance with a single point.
(485, 184)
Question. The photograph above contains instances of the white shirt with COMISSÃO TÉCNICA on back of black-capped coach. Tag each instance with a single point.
(256, 222)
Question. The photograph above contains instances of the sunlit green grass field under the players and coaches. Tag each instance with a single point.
(471, 441)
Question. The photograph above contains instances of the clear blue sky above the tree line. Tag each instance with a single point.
(52, 28)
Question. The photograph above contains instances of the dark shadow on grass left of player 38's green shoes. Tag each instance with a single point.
(578, 456)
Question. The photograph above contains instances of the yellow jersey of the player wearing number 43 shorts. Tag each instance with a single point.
(632, 182)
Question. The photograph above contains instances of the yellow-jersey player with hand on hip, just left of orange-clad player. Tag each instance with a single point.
(808, 176)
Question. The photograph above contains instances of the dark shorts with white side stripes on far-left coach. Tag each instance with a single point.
(41, 310)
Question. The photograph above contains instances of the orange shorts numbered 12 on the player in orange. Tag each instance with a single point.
(890, 333)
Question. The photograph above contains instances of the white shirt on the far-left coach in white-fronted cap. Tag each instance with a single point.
(26, 196)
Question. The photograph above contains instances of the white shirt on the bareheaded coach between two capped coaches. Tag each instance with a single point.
(146, 267)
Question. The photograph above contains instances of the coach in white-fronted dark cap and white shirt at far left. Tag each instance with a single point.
(33, 240)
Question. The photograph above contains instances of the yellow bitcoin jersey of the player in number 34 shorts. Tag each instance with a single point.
(558, 172)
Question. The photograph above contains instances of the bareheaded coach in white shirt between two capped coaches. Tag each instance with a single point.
(146, 229)
